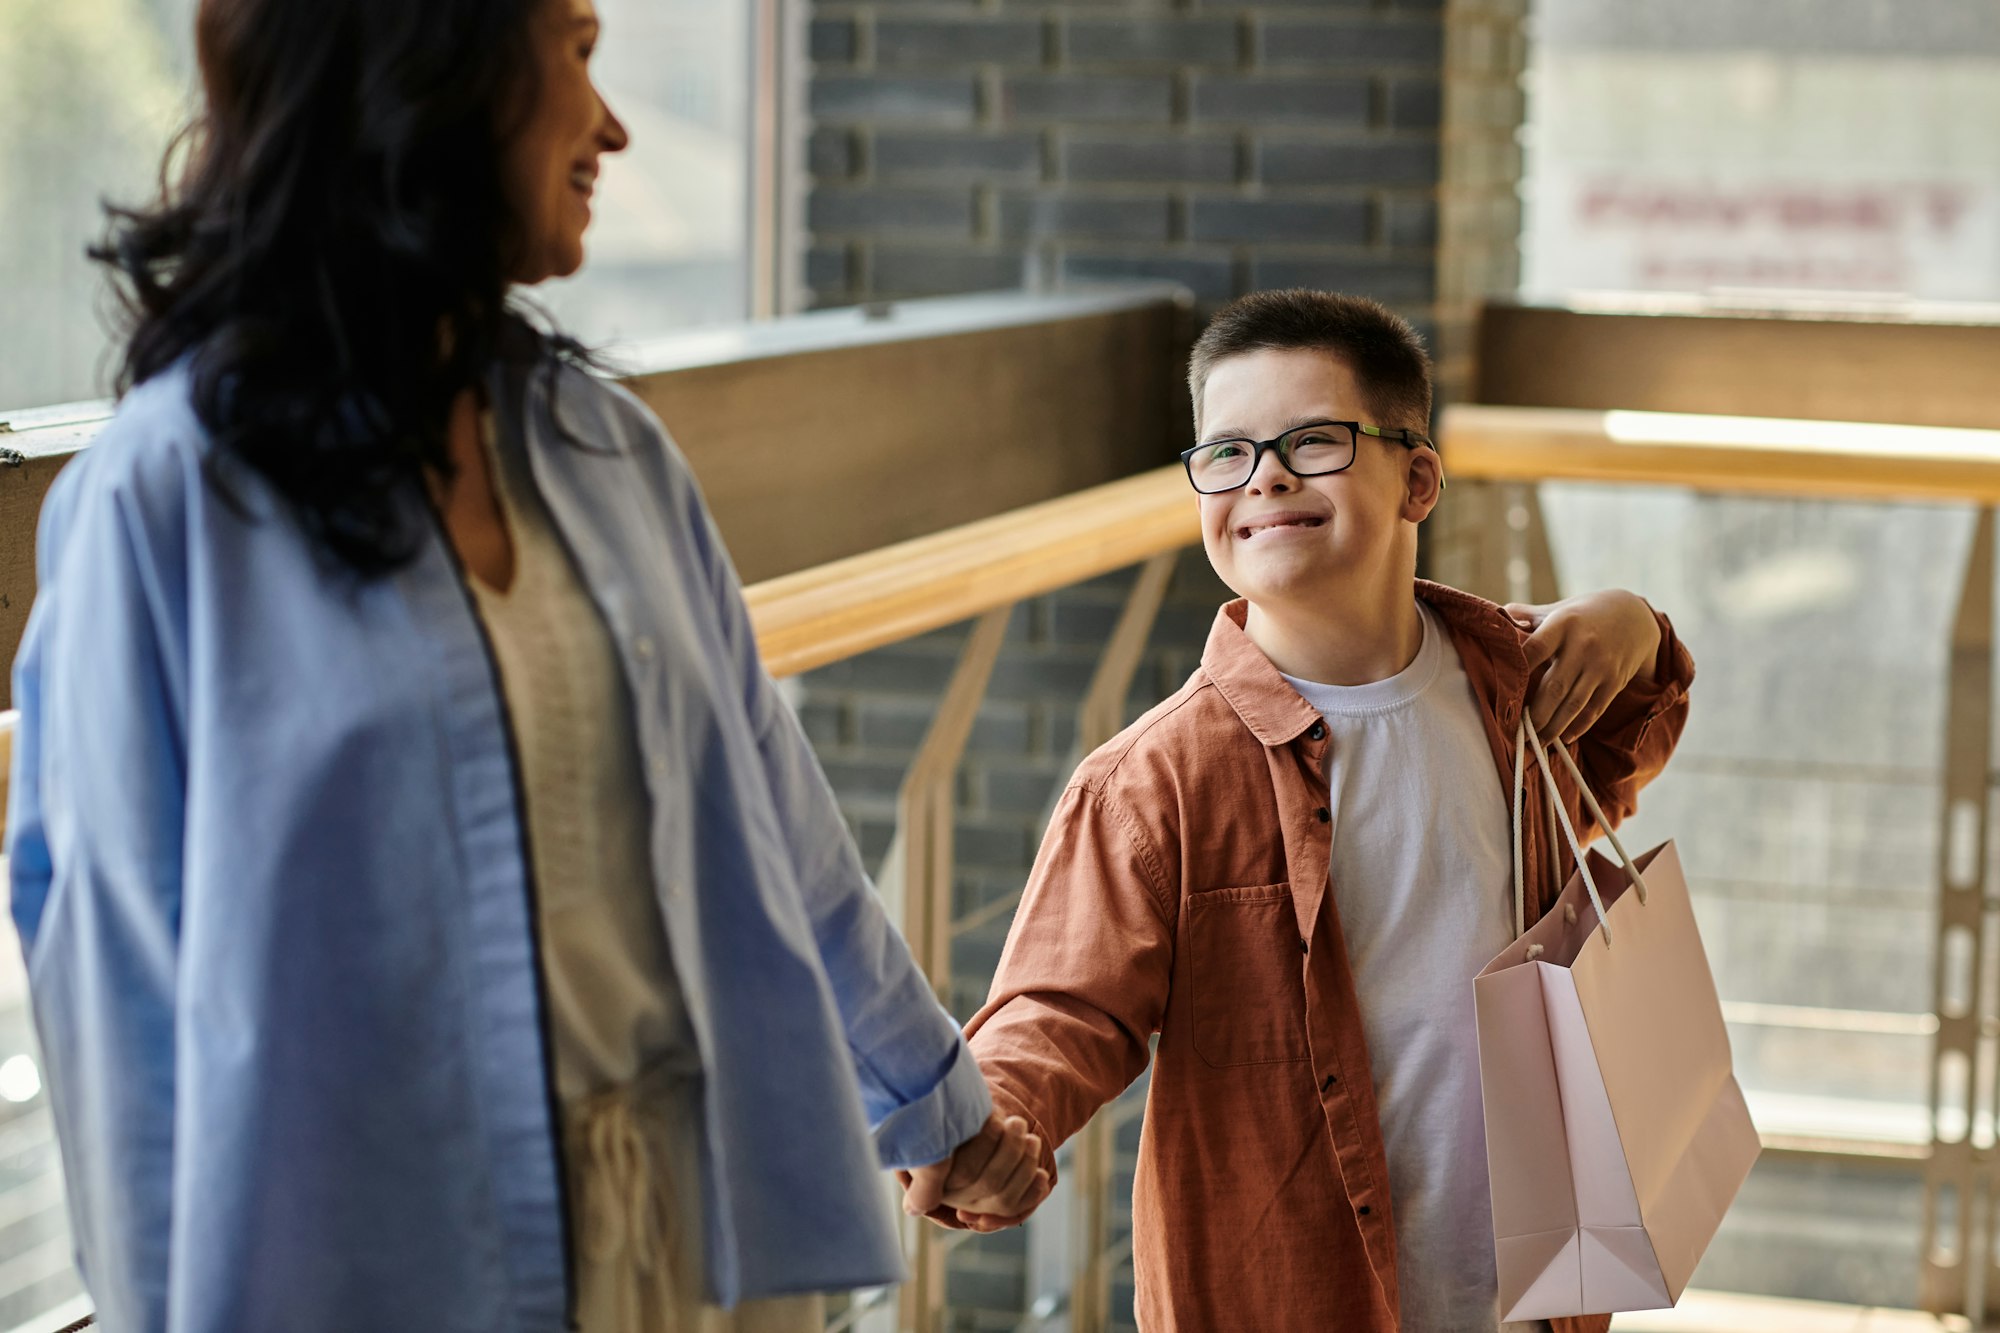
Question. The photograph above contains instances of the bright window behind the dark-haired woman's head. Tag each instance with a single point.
(93, 89)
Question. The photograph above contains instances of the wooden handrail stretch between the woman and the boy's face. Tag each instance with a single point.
(835, 611)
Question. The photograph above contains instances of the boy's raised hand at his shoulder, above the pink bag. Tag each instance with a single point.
(1599, 643)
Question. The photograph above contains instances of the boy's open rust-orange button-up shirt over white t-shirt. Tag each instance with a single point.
(1183, 892)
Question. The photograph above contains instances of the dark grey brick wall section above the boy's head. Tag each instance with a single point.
(1227, 147)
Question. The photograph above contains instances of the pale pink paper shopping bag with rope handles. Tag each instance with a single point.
(1615, 1130)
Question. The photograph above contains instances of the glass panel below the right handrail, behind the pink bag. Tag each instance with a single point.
(1807, 810)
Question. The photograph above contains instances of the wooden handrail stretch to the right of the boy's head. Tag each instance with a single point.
(1809, 459)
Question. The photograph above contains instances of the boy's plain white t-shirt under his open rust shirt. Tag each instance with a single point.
(1423, 876)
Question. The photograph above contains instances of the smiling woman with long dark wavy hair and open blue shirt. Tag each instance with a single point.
(435, 920)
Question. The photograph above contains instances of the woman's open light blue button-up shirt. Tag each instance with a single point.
(267, 868)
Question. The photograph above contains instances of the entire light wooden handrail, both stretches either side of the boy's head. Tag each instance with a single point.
(847, 607)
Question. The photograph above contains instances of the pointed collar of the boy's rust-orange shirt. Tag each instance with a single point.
(1275, 712)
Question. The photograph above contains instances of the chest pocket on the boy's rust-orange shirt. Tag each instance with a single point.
(1247, 986)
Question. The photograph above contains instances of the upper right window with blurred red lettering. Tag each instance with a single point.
(1831, 147)
